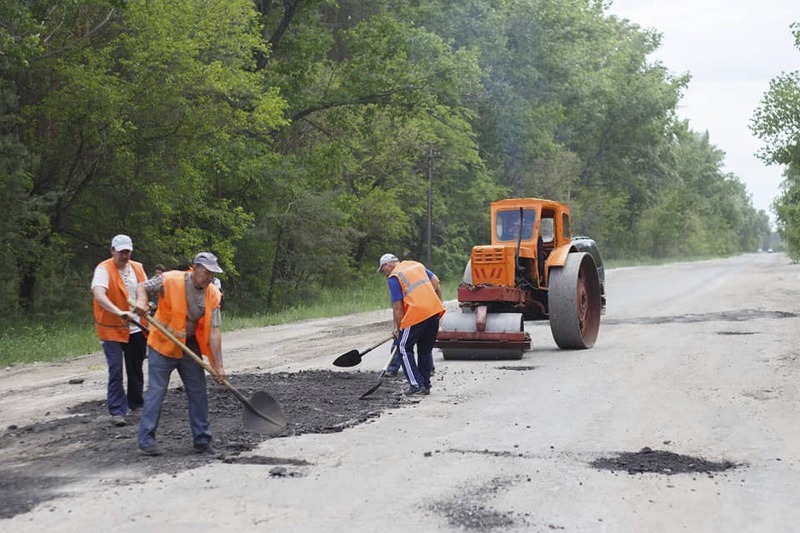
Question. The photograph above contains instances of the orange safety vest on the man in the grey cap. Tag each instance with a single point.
(172, 308)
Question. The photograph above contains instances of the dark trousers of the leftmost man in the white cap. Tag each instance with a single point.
(131, 354)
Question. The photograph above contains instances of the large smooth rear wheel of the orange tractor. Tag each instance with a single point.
(574, 302)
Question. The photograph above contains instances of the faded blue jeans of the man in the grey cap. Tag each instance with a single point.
(193, 376)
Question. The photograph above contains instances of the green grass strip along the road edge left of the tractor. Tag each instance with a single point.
(64, 338)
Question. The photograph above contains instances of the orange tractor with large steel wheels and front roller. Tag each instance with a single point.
(533, 270)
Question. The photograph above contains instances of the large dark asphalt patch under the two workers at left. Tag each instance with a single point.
(49, 456)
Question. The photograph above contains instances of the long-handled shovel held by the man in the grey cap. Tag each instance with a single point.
(262, 412)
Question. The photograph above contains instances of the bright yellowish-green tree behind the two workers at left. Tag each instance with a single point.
(144, 118)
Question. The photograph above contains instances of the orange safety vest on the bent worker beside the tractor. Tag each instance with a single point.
(420, 301)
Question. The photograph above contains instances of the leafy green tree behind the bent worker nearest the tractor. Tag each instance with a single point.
(380, 98)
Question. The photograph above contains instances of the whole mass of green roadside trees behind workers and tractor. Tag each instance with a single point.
(299, 140)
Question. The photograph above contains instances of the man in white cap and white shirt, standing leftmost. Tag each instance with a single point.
(115, 281)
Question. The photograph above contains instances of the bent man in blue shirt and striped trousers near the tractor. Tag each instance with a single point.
(416, 308)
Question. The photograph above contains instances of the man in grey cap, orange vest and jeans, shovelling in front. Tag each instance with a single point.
(189, 305)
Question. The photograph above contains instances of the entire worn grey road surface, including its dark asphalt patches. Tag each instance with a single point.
(683, 417)
